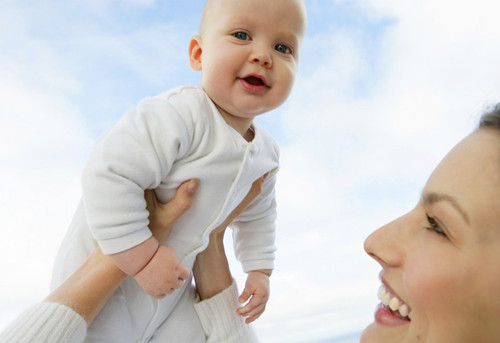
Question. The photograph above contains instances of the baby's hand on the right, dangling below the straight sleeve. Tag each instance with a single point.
(257, 290)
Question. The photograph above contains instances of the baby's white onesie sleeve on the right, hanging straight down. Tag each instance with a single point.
(254, 230)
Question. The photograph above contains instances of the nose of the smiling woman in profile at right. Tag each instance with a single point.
(387, 244)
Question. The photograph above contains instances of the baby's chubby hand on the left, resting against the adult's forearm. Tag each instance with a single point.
(163, 274)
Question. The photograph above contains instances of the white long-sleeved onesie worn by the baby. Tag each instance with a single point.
(164, 141)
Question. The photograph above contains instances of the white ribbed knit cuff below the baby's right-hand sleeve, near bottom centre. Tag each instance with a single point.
(220, 321)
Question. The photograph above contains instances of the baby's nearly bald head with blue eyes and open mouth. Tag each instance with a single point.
(247, 52)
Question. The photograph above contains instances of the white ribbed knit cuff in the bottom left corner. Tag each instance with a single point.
(46, 322)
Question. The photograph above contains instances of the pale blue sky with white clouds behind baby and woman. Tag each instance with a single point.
(385, 88)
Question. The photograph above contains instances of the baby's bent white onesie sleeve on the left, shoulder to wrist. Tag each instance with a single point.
(134, 155)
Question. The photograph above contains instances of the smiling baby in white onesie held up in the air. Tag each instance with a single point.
(247, 53)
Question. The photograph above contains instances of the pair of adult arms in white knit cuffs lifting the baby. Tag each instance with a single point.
(65, 314)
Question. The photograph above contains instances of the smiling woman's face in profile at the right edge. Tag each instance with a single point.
(441, 261)
